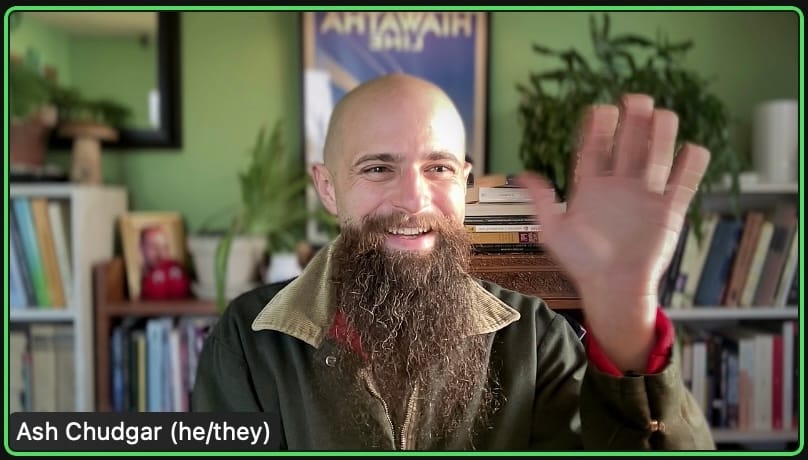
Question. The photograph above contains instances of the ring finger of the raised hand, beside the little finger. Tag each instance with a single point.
(664, 126)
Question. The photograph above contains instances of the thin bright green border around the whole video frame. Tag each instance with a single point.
(490, 8)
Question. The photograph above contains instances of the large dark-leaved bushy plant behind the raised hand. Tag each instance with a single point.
(552, 102)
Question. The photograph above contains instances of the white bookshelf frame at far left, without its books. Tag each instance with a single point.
(93, 214)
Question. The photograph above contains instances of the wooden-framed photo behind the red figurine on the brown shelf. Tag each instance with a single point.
(148, 239)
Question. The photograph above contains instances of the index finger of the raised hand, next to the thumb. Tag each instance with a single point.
(597, 135)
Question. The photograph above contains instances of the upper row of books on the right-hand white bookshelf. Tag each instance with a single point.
(740, 262)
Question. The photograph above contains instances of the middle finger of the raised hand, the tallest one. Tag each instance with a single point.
(631, 141)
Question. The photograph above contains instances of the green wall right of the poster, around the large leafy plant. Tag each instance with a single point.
(751, 57)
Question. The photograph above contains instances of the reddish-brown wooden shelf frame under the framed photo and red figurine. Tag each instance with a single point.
(111, 305)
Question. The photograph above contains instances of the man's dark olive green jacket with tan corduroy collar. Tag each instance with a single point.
(272, 343)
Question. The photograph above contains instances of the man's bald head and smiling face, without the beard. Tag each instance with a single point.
(395, 144)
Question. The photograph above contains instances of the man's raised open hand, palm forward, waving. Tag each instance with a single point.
(623, 219)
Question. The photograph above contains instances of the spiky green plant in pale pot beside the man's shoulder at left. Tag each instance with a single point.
(270, 219)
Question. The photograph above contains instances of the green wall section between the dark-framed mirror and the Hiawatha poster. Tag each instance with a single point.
(240, 71)
